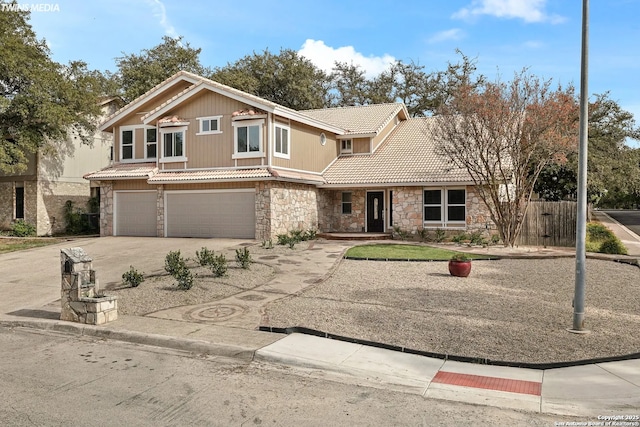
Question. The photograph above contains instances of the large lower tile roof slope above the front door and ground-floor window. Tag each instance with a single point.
(406, 157)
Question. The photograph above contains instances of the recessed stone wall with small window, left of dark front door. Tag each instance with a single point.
(331, 218)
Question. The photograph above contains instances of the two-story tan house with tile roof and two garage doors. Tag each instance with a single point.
(195, 158)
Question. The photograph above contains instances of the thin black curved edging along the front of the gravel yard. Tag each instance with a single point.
(465, 359)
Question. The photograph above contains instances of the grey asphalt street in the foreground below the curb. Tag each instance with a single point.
(49, 379)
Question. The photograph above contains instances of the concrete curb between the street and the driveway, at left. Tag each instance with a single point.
(156, 340)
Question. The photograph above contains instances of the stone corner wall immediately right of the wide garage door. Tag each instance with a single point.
(283, 206)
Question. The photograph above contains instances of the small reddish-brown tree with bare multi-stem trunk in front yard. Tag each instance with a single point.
(503, 135)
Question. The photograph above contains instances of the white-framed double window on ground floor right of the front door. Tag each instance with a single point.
(445, 207)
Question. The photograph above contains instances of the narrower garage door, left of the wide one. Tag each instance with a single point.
(135, 213)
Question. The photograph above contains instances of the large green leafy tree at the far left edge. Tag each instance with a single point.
(40, 100)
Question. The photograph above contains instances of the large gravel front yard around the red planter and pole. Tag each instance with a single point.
(514, 310)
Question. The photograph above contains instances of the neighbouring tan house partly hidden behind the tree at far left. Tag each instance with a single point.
(39, 194)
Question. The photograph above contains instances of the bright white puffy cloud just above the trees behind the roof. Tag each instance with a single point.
(324, 57)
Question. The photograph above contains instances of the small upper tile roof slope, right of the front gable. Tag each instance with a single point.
(361, 119)
